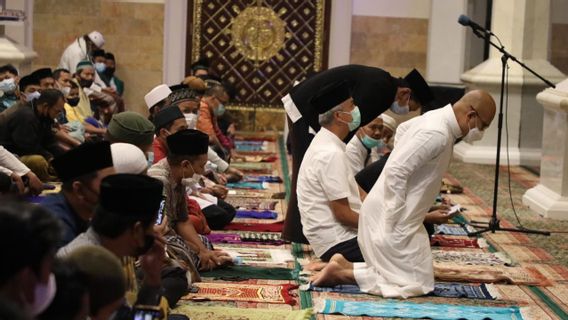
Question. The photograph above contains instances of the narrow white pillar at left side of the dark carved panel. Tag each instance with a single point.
(175, 20)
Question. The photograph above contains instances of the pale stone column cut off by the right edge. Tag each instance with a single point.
(550, 197)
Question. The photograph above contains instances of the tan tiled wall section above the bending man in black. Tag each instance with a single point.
(394, 44)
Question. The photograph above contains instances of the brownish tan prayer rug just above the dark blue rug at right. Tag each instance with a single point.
(452, 272)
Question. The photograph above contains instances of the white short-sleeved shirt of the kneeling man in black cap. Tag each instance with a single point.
(325, 176)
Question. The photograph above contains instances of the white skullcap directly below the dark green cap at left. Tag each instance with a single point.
(128, 158)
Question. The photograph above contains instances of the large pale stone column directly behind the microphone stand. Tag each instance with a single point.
(523, 27)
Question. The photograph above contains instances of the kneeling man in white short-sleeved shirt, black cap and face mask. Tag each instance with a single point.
(328, 196)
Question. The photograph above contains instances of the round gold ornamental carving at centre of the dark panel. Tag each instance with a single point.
(258, 33)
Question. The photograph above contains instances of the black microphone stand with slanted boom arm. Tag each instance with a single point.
(494, 224)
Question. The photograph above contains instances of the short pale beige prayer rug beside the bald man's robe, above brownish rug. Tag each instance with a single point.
(470, 257)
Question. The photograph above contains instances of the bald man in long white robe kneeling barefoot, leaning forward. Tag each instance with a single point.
(392, 238)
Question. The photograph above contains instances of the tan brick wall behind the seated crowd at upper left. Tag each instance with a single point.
(132, 31)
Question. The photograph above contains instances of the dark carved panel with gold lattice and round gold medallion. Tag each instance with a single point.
(260, 46)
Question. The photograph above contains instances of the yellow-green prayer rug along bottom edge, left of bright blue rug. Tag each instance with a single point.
(197, 312)
